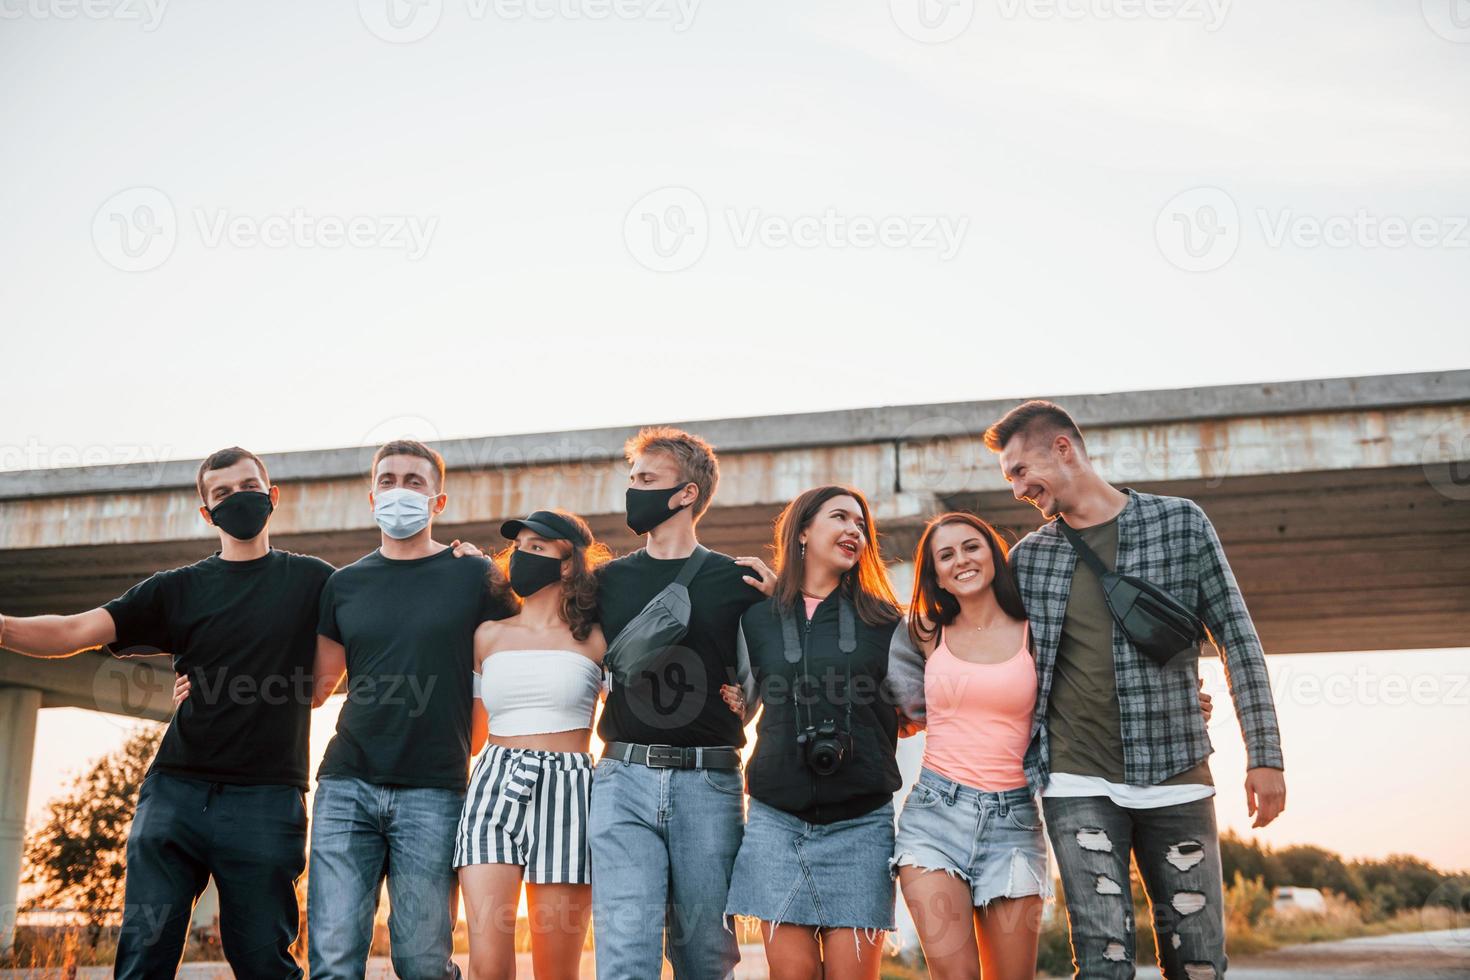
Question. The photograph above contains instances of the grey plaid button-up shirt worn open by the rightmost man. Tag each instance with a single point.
(1171, 543)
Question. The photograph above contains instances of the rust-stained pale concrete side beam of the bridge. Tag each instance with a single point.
(903, 478)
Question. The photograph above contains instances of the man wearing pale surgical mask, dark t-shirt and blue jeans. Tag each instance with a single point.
(401, 624)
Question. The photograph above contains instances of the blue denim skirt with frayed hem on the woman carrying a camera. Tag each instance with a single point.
(827, 876)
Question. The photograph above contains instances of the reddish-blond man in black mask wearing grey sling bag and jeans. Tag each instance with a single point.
(667, 813)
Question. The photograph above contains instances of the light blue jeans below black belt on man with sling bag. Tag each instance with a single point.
(664, 846)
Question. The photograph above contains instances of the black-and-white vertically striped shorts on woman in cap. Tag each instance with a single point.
(528, 807)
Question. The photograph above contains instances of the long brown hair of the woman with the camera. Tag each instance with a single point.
(865, 584)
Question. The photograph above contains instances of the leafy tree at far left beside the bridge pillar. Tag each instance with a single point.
(79, 854)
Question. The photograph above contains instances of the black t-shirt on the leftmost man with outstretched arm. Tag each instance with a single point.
(245, 633)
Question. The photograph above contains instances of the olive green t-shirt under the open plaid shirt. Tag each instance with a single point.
(1083, 718)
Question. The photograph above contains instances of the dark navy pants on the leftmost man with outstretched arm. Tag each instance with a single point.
(251, 840)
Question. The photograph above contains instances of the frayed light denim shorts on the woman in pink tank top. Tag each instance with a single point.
(992, 841)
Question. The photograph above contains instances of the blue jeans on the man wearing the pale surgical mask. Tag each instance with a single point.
(362, 834)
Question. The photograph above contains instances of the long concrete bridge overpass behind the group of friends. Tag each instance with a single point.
(1344, 506)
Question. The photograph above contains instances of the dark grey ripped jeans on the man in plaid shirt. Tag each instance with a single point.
(1178, 853)
